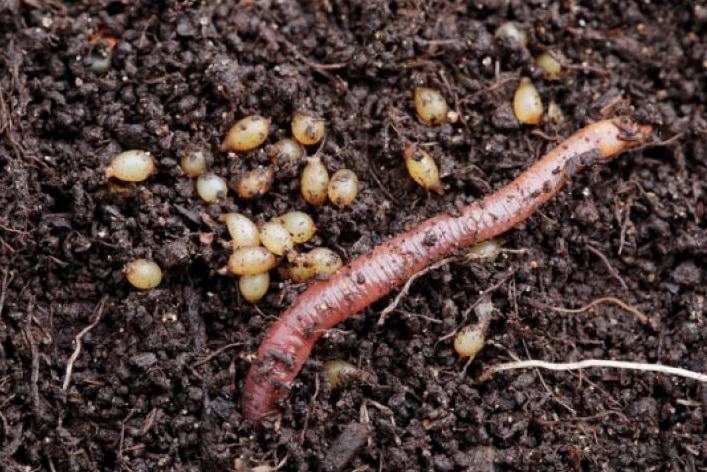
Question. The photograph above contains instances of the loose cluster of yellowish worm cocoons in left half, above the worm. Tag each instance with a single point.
(255, 249)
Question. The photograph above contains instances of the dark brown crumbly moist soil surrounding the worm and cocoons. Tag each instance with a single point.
(96, 375)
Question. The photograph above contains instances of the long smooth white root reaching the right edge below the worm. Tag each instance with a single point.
(530, 364)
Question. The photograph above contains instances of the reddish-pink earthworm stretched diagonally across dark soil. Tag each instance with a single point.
(371, 276)
